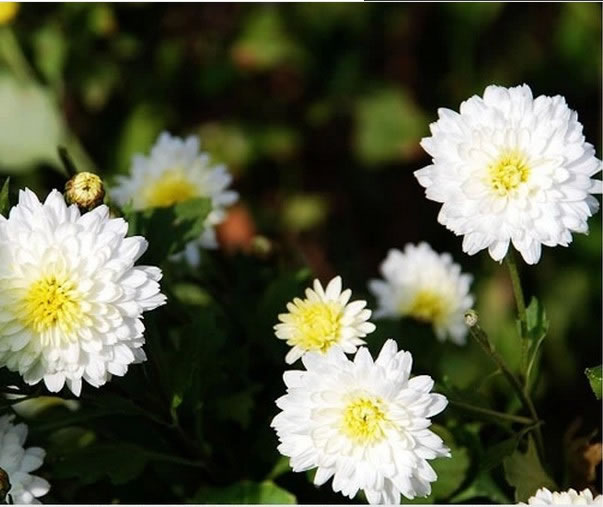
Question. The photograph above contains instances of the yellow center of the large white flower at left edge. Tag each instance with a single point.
(52, 301)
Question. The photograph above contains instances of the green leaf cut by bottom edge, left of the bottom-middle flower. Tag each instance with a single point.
(245, 492)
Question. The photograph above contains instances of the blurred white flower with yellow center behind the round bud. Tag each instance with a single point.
(176, 171)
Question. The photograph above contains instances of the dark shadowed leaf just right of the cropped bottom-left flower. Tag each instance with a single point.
(120, 462)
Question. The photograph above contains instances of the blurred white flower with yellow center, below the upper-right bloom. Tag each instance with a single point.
(427, 286)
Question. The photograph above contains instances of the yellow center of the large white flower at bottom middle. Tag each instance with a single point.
(363, 420)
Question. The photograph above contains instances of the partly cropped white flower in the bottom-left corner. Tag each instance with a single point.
(19, 462)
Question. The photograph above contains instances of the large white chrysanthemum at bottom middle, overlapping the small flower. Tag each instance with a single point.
(361, 422)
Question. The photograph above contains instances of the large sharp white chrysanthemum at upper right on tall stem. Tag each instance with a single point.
(511, 168)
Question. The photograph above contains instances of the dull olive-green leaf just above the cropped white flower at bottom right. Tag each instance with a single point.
(525, 473)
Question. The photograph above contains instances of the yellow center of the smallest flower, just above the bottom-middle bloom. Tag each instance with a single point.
(318, 325)
